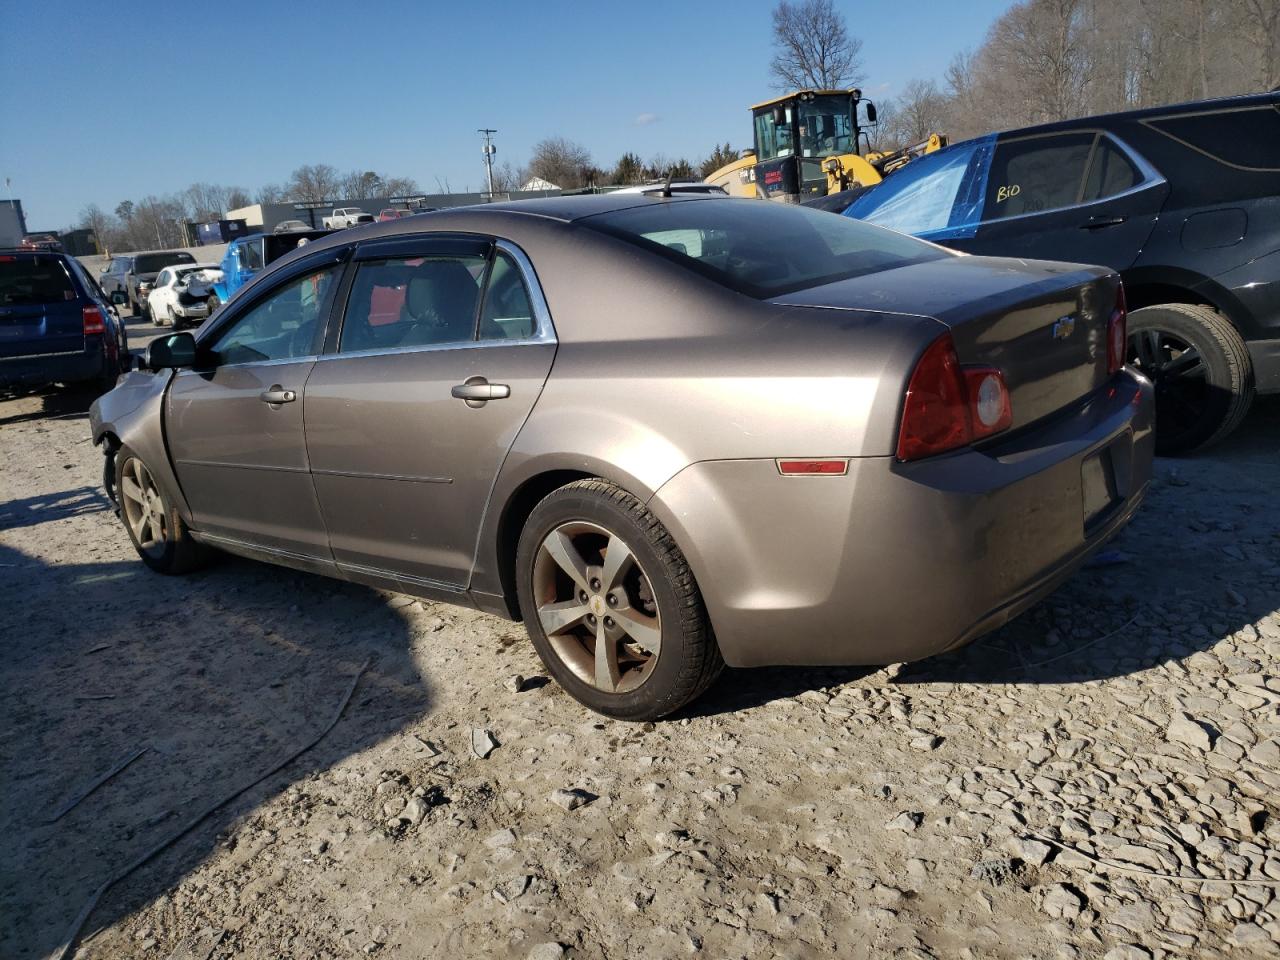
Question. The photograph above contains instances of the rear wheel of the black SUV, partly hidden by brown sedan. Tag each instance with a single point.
(1201, 401)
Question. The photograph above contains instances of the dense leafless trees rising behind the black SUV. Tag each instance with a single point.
(1046, 61)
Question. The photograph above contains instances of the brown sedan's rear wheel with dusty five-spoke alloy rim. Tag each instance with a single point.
(611, 605)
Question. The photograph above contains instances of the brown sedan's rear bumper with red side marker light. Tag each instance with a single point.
(900, 561)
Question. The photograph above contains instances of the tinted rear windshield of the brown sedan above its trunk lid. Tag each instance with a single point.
(764, 249)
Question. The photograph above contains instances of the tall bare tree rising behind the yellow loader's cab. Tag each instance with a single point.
(813, 48)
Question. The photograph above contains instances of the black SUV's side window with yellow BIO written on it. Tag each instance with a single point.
(1036, 175)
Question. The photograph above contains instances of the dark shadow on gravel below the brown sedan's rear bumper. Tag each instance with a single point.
(1186, 574)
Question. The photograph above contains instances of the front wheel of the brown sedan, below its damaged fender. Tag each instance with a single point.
(157, 529)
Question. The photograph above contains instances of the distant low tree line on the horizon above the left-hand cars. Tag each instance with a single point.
(162, 222)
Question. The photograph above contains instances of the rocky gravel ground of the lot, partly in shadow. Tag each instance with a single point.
(1133, 719)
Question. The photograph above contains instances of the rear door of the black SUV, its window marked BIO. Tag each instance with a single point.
(1077, 196)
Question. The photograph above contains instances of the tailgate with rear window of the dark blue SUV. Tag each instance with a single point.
(40, 307)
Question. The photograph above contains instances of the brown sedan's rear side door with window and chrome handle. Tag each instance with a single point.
(444, 351)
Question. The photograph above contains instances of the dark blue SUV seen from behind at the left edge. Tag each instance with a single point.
(56, 324)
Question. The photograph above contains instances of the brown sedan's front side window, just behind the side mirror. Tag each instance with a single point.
(281, 327)
